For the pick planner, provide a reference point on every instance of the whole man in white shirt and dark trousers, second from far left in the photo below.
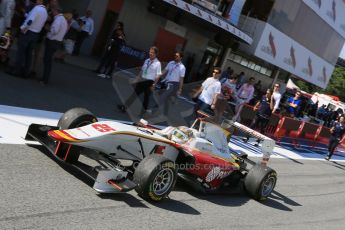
(55, 36)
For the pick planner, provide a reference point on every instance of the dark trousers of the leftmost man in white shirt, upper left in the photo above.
(26, 44)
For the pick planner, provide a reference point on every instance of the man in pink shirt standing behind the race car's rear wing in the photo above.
(244, 95)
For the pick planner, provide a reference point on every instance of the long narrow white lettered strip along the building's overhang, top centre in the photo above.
(211, 18)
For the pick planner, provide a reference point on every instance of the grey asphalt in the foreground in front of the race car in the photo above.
(38, 193)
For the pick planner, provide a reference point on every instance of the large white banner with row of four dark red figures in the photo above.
(284, 52)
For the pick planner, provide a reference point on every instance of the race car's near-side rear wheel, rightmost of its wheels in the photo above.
(260, 182)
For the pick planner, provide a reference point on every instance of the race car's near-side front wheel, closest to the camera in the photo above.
(155, 177)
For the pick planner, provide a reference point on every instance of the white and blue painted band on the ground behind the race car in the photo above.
(14, 122)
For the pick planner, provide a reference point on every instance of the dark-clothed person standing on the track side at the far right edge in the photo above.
(337, 136)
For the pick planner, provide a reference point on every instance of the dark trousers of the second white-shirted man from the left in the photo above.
(51, 47)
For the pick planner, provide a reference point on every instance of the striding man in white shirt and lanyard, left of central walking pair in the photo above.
(148, 76)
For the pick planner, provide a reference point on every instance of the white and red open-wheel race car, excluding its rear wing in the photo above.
(148, 159)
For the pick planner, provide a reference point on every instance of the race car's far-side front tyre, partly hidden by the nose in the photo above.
(74, 118)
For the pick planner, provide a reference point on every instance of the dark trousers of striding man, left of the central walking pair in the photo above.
(141, 87)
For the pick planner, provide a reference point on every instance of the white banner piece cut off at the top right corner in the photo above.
(331, 11)
